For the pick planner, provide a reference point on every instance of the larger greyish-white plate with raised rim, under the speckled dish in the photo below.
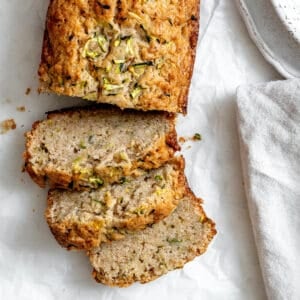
(271, 36)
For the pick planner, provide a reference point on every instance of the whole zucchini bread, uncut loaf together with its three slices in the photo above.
(117, 185)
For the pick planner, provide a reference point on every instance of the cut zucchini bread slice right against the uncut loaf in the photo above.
(86, 147)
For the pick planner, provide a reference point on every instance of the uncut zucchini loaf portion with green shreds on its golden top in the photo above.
(134, 54)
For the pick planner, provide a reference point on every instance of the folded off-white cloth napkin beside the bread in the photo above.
(268, 117)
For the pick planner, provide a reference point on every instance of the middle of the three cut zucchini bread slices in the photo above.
(84, 219)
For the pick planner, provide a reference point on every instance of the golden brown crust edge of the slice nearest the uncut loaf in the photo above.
(161, 152)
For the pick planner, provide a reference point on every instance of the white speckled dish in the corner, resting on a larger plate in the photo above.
(289, 13)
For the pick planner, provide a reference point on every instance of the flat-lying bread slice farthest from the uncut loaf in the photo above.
(145, 255)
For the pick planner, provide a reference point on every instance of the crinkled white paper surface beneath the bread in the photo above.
(33, 266)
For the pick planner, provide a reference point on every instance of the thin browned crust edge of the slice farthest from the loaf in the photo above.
(128, 280)
